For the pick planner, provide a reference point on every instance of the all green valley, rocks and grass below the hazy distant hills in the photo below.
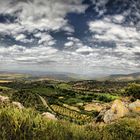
(82, 110)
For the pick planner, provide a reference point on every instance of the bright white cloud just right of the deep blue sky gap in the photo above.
(109, 31)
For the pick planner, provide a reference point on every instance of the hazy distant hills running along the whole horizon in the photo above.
(66, 76)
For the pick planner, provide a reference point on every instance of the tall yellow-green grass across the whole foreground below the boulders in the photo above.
(27, 124)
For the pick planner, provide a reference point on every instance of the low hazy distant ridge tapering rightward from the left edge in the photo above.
(37, 75)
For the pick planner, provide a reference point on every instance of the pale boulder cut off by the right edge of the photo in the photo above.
(135, 106)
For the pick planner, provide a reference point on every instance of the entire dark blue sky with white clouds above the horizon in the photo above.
(92, 37)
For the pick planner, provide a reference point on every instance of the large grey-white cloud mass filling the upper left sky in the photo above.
(38, 15)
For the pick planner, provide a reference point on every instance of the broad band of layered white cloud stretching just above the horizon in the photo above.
(80, 60)
